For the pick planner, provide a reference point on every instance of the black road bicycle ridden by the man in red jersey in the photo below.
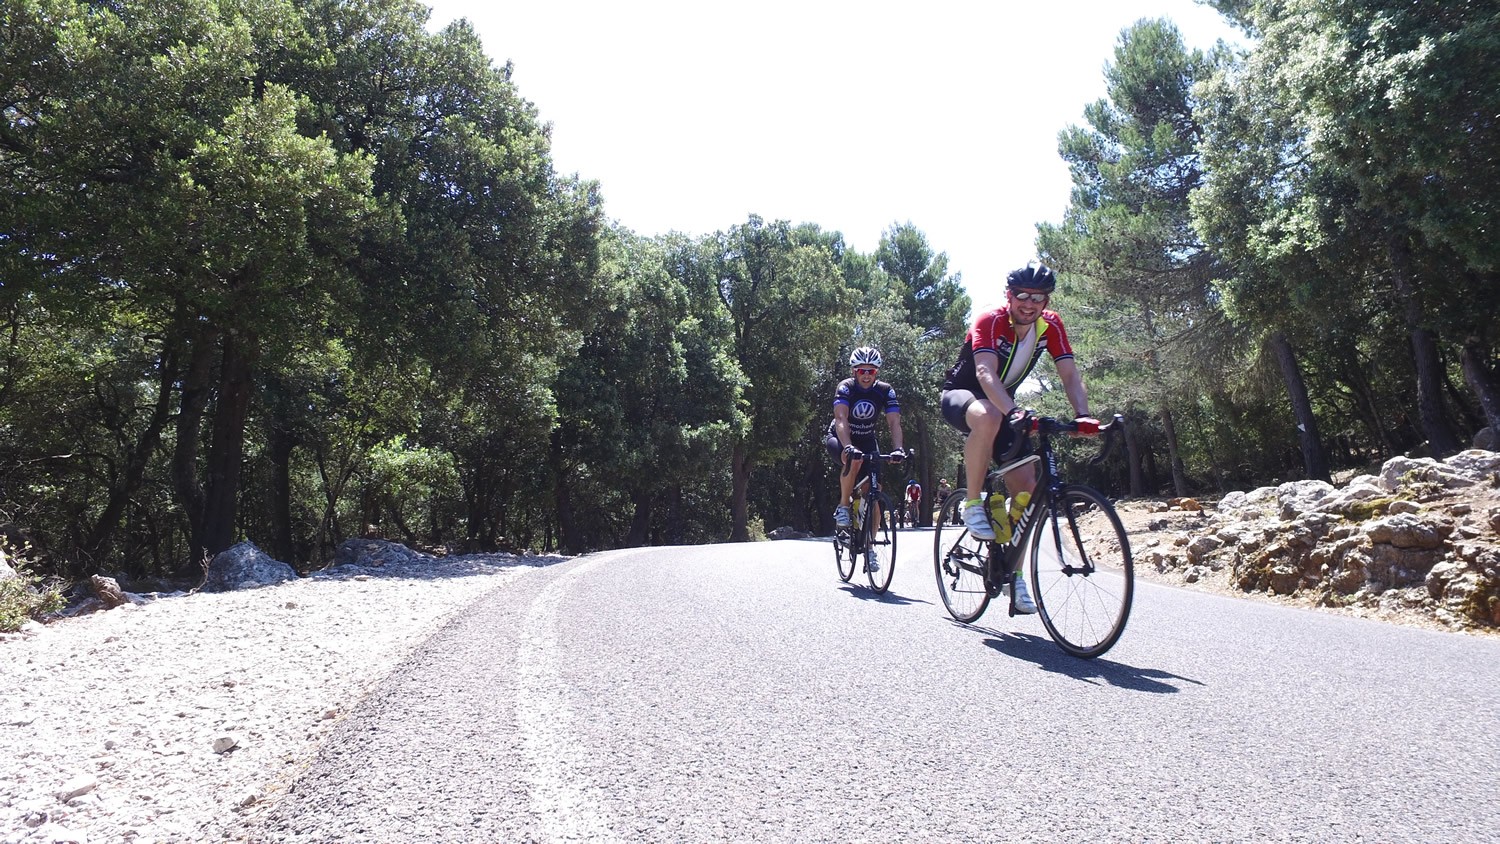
(1082, 572)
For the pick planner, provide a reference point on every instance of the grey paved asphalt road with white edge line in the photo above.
(742, 693)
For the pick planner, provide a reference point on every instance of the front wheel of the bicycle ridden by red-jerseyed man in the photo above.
(1082, 572)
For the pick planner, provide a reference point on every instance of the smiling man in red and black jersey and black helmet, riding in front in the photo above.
(1000, 352)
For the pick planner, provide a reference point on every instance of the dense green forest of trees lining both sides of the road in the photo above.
(289, 271)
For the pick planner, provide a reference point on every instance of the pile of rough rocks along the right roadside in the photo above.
(1420, 543)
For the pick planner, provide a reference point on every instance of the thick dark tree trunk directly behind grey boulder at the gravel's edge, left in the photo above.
(227, 452)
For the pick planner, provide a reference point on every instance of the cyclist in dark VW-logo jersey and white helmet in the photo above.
(857, 404)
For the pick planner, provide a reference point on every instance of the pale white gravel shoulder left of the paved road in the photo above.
(158, 723)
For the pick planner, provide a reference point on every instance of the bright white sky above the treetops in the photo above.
(856, 116)
